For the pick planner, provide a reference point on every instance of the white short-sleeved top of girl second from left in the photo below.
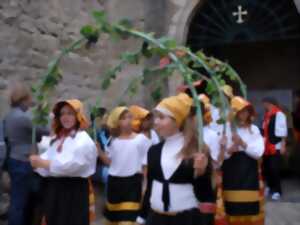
(127, 155)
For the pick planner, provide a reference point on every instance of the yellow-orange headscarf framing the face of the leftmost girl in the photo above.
(77, 106)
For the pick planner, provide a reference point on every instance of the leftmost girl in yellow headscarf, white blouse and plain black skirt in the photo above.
(66, 165)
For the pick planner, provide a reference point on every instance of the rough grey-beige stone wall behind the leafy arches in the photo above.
(32, 32)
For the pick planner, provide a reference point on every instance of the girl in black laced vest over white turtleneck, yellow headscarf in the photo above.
(172, 191)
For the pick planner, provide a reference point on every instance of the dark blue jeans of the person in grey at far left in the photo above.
(22, 185)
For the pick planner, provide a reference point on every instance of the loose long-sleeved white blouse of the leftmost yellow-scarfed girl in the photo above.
(77, 159)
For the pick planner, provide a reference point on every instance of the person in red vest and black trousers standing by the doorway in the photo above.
(275, 133)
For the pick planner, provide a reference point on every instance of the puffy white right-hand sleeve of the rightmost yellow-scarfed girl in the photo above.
(255, 145)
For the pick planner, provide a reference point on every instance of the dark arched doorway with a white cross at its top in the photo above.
(259, 38)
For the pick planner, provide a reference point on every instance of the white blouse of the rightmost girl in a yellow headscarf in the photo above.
(252, 137)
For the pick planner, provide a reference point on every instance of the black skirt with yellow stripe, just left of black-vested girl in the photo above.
(124, 196)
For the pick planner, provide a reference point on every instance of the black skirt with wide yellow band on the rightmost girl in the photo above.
(241, 185)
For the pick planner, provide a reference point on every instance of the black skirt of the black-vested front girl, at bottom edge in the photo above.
(189, 217)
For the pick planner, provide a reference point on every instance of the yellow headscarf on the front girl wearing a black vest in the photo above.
(177, 107)
